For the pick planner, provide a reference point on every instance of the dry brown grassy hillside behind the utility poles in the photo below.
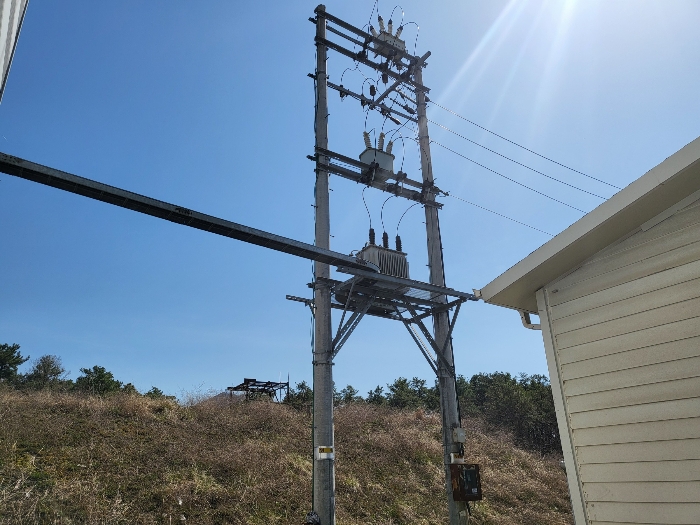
(71, 458)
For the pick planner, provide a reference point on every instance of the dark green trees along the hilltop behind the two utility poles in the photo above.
(520, 405)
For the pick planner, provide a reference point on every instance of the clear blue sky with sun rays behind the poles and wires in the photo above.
(207, 105)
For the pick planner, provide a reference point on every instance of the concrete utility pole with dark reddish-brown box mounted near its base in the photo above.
(441, 321)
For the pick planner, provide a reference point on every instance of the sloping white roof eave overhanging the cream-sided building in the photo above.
(663, 186)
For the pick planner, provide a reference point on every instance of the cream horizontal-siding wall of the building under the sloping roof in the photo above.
(622, 334)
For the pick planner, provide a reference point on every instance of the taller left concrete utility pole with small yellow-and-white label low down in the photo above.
(324, 462)
